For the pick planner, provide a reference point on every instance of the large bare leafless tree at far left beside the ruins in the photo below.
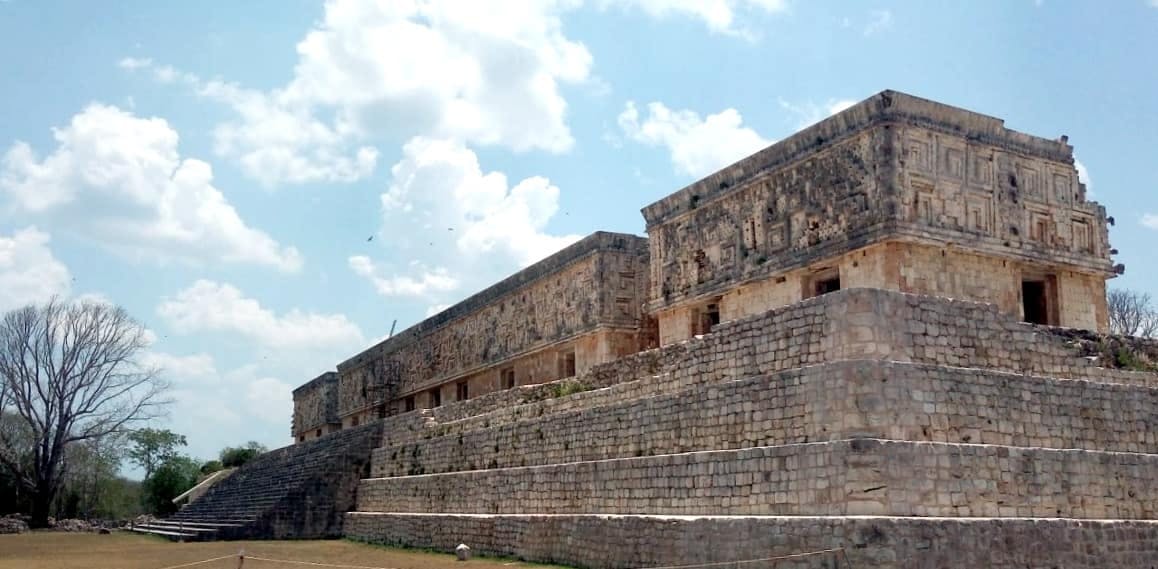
(69, 373)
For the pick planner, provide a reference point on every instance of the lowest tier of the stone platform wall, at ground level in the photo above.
(628, 542)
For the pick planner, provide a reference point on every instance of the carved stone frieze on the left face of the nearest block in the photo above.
(815, 209)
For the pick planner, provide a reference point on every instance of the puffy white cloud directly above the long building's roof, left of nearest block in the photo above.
(467, 227)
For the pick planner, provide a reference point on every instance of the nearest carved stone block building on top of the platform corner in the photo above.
(896, 193)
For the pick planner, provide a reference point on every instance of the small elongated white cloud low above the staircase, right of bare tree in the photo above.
(210, 307)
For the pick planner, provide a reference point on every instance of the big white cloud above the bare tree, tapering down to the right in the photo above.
(120, 180)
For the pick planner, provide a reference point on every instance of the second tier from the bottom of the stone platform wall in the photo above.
(842, 478)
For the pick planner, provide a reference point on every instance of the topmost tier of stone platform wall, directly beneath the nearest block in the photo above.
(856, 324)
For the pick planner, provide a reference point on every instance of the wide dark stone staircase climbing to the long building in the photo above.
(297, 492)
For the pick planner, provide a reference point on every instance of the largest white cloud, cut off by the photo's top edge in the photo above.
(485, 74)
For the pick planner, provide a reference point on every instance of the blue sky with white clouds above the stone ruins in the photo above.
(269, 185)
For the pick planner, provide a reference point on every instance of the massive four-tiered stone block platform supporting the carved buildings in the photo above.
(905, 432)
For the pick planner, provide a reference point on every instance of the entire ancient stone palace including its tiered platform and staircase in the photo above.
(876, 344)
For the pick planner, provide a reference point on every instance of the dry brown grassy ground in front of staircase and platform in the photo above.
(127, 551)
